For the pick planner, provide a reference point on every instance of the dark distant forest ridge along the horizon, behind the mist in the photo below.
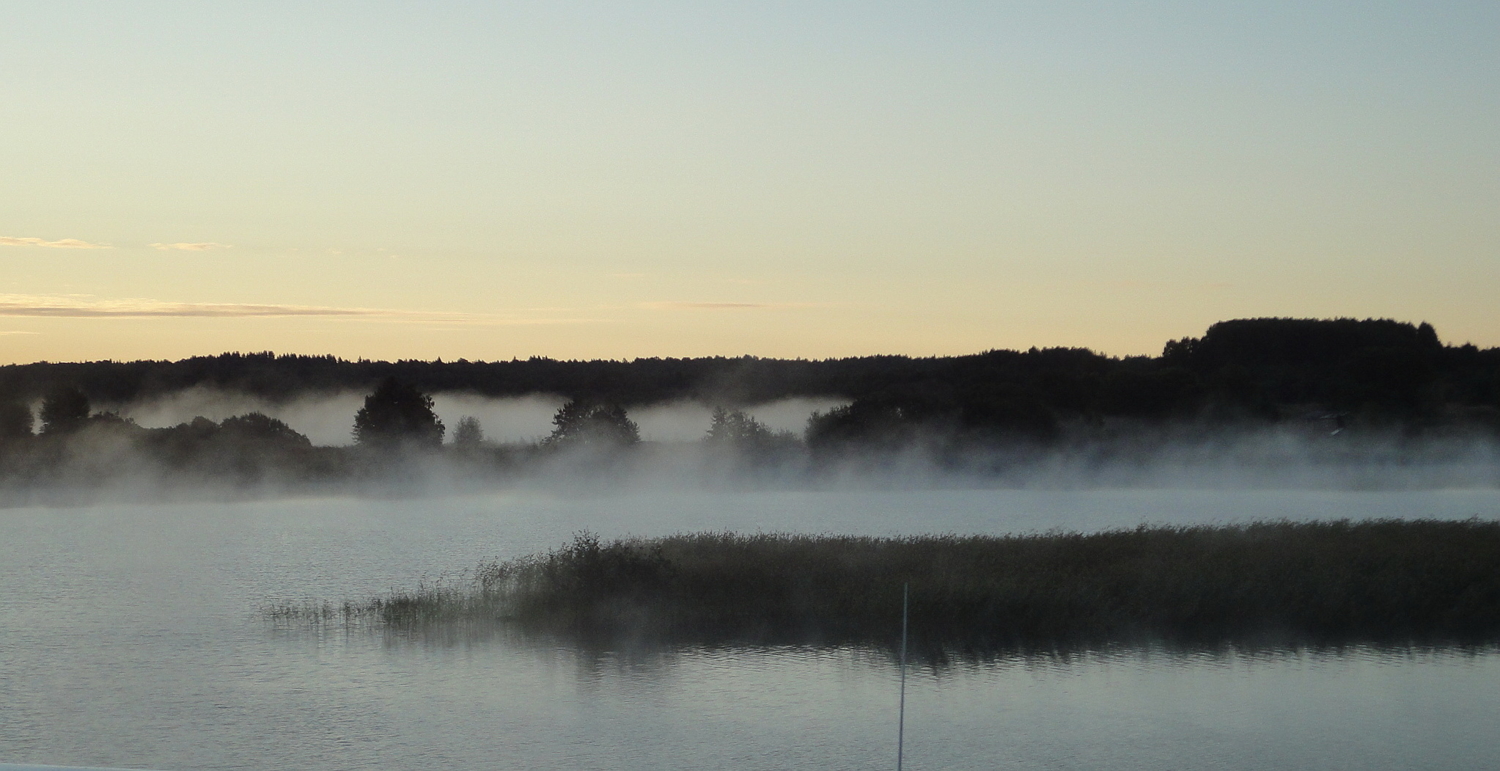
(1346, 373)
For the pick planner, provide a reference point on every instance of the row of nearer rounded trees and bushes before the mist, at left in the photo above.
(76, 446)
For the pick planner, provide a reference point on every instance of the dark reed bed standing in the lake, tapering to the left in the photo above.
(1270, 583)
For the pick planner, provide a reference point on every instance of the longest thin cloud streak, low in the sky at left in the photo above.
(88, 307)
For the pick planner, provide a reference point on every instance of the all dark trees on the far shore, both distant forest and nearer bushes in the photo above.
(1325, 377)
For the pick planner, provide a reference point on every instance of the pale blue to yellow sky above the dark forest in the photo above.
(814, 179)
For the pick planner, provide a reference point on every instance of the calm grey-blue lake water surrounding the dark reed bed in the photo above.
(130, 638)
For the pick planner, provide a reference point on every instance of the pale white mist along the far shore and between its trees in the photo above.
(101, 467)
